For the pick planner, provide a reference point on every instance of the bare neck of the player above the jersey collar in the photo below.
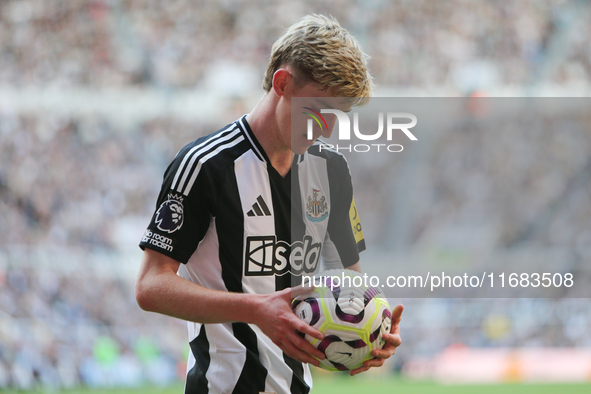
(262, 121)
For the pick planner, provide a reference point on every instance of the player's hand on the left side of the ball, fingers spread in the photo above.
(277, 320)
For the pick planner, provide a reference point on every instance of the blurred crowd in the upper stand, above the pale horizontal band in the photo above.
(460, 45)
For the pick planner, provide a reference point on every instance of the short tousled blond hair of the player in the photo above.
(322, 51)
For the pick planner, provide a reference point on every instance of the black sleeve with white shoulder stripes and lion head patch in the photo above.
(183, 210)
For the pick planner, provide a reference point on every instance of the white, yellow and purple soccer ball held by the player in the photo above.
(352, 317)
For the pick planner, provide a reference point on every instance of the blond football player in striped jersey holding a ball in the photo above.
(223, 249)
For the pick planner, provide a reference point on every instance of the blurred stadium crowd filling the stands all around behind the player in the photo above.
(74, 183)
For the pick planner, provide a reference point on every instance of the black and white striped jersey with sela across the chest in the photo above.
(237, 225)
